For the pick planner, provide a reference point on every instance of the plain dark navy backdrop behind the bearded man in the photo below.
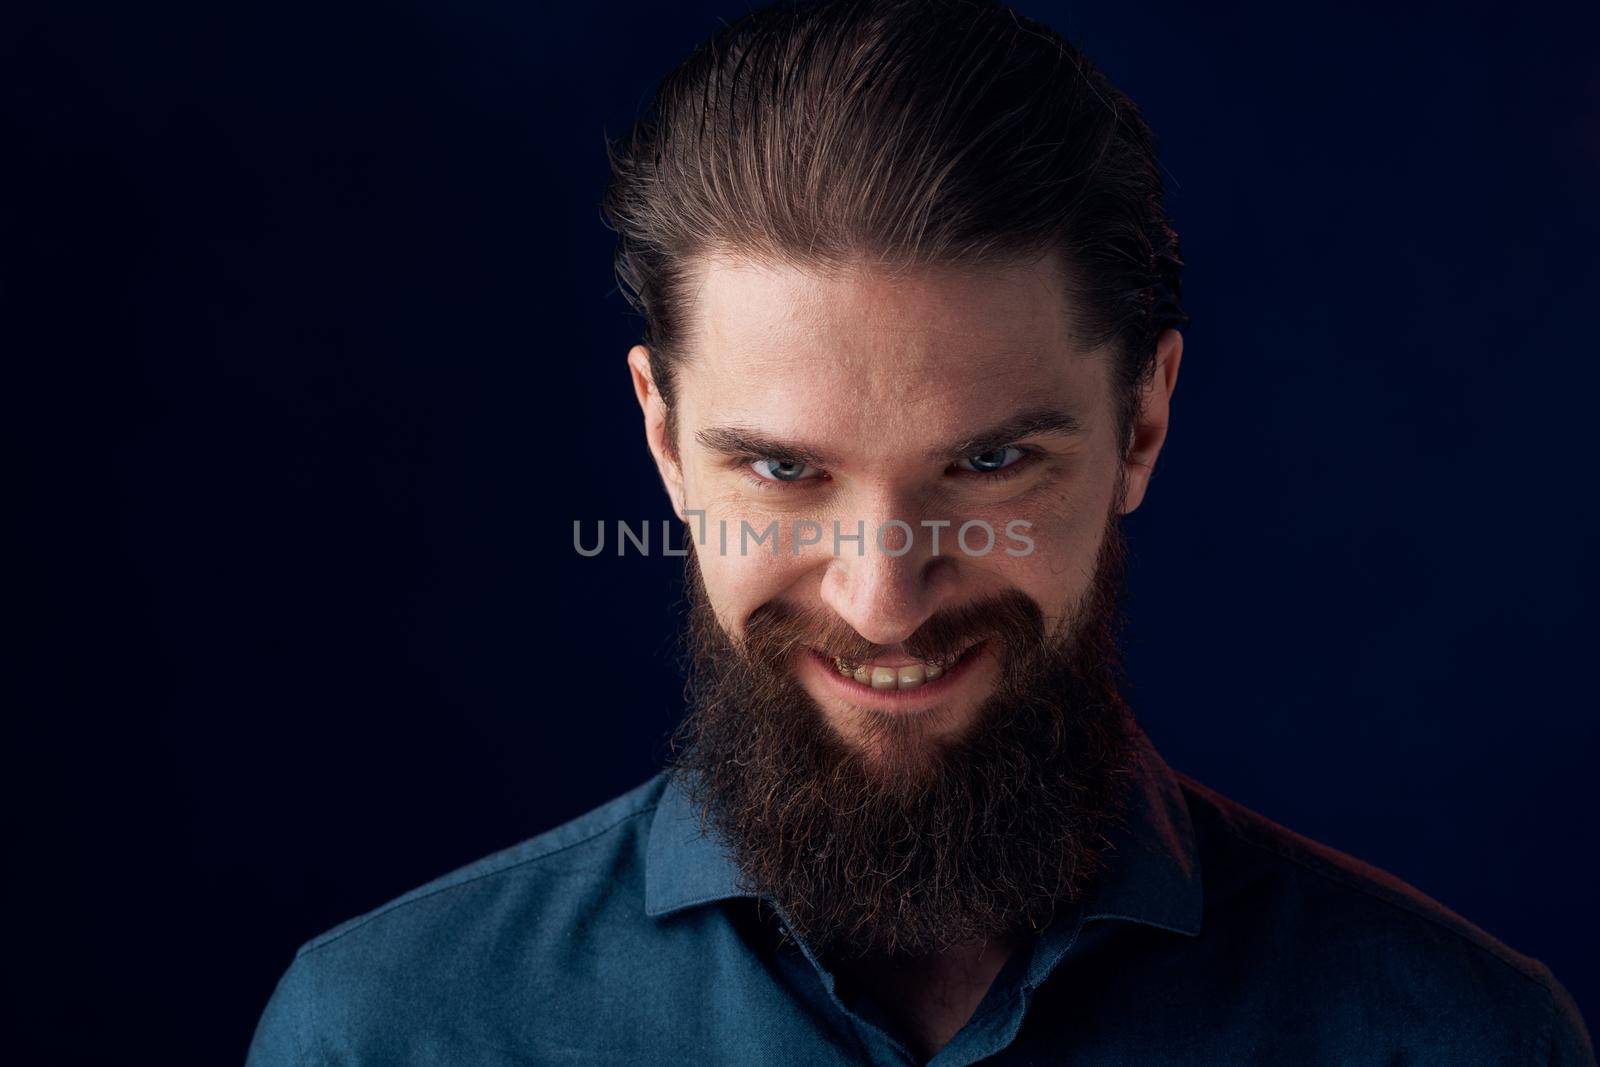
(314, 358)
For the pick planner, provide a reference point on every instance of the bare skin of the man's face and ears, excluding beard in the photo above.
(865, 396)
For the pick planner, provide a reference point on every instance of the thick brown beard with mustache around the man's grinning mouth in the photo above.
(905, 847)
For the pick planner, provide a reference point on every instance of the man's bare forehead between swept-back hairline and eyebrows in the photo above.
(871, 359)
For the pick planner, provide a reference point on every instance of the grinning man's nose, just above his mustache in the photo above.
(882, 596)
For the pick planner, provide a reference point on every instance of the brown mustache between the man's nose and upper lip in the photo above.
(778, 631)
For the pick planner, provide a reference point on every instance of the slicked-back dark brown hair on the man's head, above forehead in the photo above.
(902, 132)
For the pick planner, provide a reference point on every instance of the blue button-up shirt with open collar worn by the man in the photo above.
(623, 938)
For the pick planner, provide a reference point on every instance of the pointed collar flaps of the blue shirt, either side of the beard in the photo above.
(1153, 869)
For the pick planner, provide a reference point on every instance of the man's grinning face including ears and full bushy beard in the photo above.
(988, 692)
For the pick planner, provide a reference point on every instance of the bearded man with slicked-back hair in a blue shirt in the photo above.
(913, 314)
